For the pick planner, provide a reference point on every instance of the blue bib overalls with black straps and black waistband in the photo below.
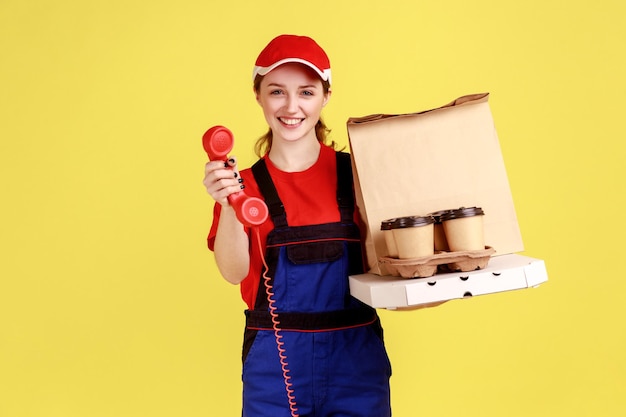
(333, 343)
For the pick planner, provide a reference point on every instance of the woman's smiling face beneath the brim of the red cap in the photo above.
(292, 97)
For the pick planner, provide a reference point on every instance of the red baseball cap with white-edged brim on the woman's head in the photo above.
(292, 48)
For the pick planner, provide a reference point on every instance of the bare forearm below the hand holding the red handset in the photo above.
(231, 247)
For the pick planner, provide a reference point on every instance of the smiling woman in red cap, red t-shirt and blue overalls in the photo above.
(323, 354)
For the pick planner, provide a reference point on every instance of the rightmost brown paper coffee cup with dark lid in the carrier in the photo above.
(464, 229)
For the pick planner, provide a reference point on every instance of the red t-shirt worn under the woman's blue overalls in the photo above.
(309, 197)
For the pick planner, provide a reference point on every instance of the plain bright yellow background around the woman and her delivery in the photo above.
(110, 304)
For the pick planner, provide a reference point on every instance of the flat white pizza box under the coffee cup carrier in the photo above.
(504, 273)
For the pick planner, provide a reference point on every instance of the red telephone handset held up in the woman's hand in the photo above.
(218, 141)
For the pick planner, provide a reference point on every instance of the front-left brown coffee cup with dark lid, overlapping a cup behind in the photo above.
(414, 236)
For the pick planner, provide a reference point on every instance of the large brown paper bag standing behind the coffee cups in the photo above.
(419, 163)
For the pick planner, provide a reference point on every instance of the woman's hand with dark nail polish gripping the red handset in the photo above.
(222, 179)
